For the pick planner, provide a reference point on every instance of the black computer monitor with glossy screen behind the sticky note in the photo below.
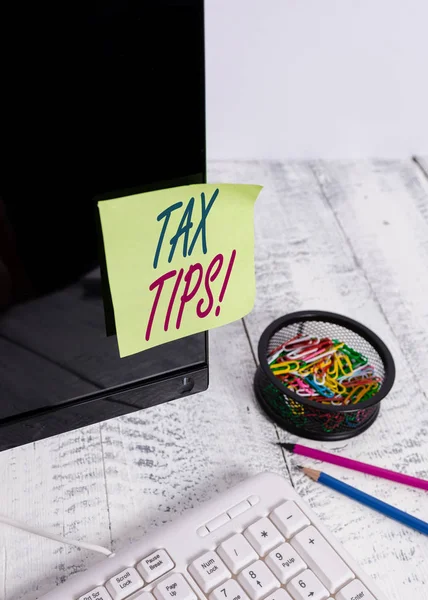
(99, 99)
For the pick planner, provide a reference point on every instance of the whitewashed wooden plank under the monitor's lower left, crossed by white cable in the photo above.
(57, 484)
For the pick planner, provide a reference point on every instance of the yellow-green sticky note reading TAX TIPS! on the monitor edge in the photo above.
(179, 261)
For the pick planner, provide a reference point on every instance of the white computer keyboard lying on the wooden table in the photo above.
(257, 541)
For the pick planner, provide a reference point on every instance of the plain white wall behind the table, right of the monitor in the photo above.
(316, 78)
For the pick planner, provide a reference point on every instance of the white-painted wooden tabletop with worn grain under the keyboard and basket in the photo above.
(347, 237)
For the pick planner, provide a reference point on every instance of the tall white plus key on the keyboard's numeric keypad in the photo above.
(327, 565)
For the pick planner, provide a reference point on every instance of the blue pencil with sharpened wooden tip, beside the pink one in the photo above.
(370, 501)
